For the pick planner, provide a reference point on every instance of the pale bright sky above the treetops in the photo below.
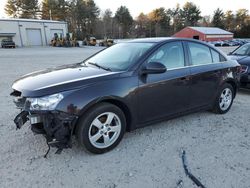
(135, 7)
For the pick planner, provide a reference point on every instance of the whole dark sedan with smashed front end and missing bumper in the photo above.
(124, 87)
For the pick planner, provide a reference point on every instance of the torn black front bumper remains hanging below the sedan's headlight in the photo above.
(57, 127)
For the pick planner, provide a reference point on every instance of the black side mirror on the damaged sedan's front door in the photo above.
(153, 68)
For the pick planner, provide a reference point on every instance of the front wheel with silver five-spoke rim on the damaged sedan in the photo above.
(101, 128)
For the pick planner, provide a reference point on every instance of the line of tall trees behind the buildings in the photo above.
(85, 18)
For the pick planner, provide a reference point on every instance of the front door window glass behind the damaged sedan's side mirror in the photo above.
(171, 55)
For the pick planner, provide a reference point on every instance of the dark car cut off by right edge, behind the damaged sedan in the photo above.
(242, 55)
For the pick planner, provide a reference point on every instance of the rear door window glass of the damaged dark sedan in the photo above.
(200, 54)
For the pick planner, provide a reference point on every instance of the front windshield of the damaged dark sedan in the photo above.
(119, 57)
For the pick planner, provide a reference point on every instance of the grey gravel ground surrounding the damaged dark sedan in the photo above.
(217, 146)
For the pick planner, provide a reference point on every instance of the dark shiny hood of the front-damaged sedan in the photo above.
(60, 79)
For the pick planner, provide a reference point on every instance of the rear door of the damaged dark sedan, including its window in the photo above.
(206, 71)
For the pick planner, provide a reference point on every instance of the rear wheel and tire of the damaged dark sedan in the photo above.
(224, 99)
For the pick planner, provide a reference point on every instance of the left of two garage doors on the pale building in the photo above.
(34, 37)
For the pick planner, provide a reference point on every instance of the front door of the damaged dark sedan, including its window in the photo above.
(165, 94)
